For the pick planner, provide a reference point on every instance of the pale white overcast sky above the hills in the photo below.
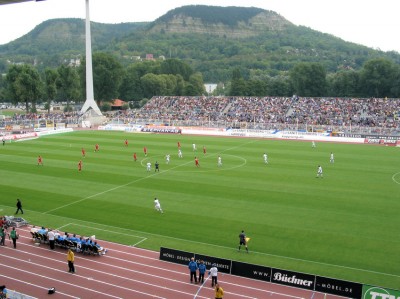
(371, 23)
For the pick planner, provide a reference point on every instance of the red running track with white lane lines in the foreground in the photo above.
(124, 272)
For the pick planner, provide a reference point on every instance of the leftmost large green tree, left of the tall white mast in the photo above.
(24, 85)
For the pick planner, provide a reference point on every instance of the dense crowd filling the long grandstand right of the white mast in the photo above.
(274, 111)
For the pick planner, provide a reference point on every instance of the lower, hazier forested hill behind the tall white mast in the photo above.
(53, 41)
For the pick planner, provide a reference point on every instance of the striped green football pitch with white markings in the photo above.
(344, 225)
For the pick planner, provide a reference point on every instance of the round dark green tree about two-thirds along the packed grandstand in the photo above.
(309, 79)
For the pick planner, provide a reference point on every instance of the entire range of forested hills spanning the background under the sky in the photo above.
(213, 40)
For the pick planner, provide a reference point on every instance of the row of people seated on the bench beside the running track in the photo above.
(82, 244)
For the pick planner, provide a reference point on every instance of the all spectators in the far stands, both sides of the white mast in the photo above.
(376, 114)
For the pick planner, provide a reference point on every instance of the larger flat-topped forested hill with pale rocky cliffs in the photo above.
(216, 40)
